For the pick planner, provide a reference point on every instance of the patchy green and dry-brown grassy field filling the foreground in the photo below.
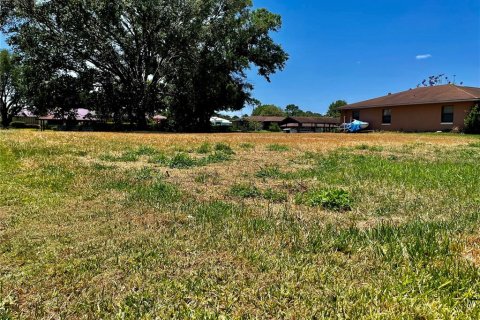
(145, 226)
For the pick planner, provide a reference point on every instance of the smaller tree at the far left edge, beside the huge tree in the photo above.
(10, 87)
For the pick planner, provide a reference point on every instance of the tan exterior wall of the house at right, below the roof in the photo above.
(414, 118)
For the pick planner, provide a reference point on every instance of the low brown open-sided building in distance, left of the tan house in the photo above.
(309, 124)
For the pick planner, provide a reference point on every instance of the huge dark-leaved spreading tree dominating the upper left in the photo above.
(129, 59)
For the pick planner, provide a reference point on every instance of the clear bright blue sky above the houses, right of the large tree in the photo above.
(356, 50)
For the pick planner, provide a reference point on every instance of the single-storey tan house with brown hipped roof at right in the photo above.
(438, 108)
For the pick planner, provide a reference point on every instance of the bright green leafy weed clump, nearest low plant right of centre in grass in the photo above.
(331, 199)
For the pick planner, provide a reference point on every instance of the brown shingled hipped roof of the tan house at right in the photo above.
(423, 95)
